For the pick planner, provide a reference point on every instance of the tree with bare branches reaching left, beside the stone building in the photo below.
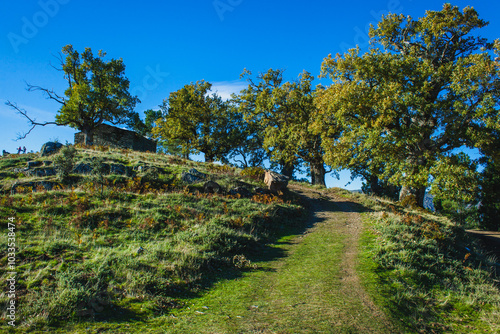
(97, 92)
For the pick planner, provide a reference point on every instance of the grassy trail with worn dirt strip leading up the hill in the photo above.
(312, 288)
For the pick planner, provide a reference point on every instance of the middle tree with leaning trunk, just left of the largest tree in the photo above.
(284, 112)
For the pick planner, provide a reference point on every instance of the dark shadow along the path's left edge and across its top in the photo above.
(279, 231)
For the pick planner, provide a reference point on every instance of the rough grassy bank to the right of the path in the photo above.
(428, 274)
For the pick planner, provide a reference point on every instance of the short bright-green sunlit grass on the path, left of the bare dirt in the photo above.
(290, 286)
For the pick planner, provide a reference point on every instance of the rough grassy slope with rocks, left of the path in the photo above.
(109, 246)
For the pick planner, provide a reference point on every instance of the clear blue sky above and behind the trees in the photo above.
(167, 44)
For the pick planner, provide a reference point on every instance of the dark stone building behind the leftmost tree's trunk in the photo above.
(107, 135)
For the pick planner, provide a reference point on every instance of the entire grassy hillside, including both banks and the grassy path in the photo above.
(131, 247)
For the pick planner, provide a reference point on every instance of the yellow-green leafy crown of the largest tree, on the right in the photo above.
(426, 88)
